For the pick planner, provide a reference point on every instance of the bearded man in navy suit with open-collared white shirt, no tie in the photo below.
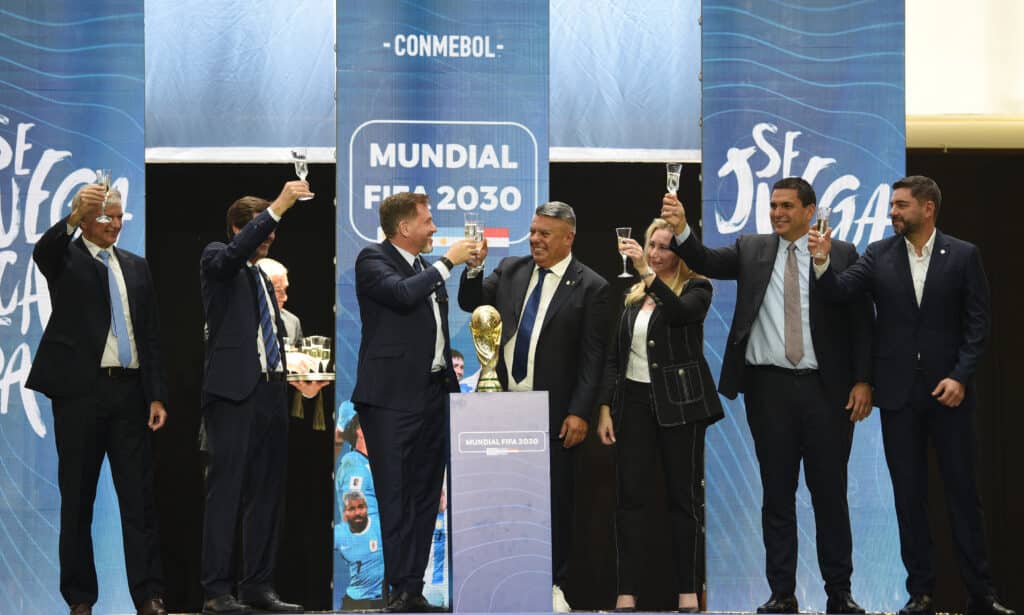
(932, 300)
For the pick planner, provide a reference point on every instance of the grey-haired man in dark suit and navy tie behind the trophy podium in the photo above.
(556, 320)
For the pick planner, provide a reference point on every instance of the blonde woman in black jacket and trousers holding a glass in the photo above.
(658, 399)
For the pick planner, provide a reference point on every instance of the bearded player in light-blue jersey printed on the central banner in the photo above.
(359, 543)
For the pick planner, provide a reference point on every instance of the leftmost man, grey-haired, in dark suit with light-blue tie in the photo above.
(99, 362)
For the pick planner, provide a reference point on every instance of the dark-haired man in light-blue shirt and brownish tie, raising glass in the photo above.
(803, 366)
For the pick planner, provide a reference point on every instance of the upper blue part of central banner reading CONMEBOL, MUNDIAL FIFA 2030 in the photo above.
(450, 101)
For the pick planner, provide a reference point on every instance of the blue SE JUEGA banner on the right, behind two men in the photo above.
(816, 90)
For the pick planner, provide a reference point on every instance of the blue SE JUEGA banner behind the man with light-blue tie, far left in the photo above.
(71, 102)
